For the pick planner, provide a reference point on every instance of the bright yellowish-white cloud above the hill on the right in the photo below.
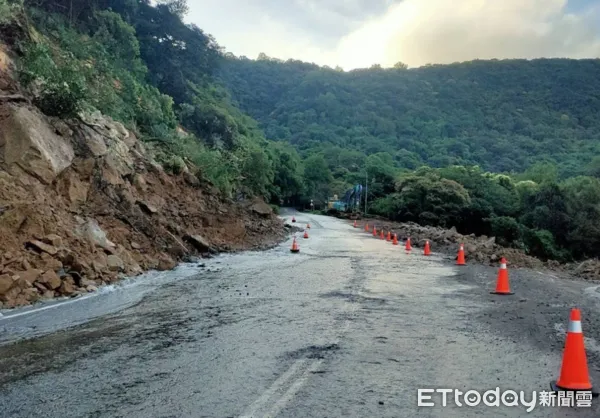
(418, 32)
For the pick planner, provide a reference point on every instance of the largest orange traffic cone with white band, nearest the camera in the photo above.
(574, 373)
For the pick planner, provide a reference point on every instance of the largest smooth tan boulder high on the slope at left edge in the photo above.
(28, 142)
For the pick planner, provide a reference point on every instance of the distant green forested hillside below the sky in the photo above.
(501, 115)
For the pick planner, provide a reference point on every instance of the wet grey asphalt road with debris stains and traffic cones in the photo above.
(349, 327)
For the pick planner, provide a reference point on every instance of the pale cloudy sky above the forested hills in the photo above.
(359, 33)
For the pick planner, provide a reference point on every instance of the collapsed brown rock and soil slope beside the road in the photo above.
(82, 203)
